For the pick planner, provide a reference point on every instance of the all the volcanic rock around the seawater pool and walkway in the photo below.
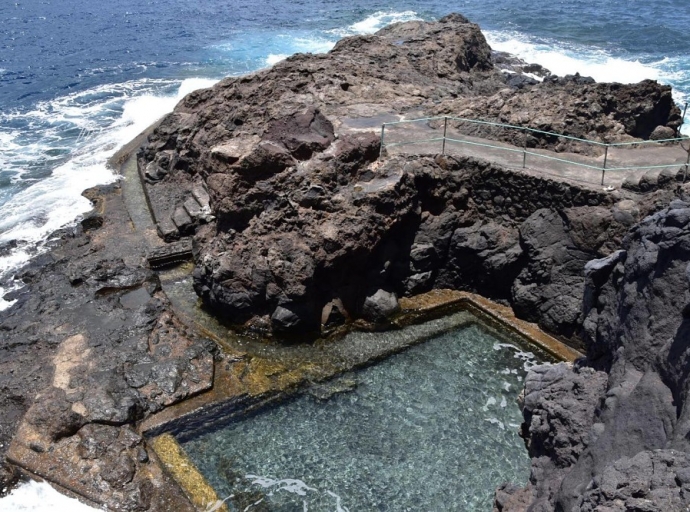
(298, 228)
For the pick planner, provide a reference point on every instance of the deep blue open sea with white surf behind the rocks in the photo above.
(79, 78)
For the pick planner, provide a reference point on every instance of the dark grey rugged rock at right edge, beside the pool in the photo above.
(626, 426)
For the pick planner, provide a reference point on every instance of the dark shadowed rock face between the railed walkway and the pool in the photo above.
(279, 261)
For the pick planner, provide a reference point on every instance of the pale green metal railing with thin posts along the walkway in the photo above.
(525, 151)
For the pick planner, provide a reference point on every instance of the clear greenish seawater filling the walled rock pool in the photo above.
(432, 428)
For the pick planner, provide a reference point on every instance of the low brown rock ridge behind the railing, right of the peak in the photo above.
(573, 106)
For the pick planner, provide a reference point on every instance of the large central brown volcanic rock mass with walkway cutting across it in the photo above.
(298, 213)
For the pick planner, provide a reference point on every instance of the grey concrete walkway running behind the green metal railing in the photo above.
(541, 162)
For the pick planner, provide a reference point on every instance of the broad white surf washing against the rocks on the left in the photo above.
(107, 117)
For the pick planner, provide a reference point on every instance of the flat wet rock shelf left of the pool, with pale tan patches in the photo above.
(90, 348)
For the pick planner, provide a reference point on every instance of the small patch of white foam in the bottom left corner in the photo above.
(40, 497)
